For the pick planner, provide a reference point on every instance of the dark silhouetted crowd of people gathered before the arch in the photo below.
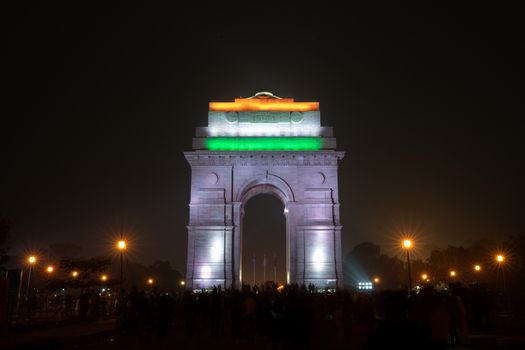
(298, 316)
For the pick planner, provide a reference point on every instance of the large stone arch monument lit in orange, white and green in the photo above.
(264, 144)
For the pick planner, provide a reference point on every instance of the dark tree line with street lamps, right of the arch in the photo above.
(366, 261)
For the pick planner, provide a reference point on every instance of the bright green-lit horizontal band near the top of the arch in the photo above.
(263, 143)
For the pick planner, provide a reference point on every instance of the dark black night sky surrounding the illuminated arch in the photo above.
(102, 101)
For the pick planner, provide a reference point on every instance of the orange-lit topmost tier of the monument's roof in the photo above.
(264, 101)
